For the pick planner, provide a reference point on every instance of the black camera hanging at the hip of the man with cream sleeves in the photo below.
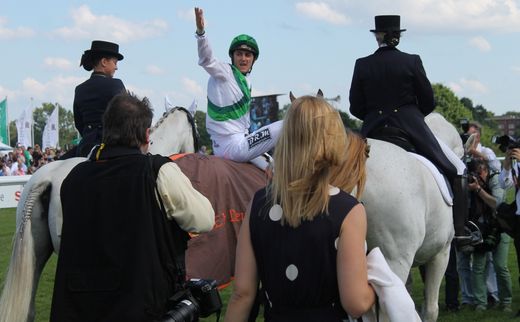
(201, 299)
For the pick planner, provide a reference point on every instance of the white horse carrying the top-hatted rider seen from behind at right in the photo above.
(407, 216)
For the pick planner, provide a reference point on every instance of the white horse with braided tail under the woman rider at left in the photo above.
(39, 215)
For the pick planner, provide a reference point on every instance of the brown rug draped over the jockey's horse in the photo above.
(229, 186)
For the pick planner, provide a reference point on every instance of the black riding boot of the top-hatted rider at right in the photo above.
(466, 232)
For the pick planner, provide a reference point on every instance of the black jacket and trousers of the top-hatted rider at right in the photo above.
(390, 88)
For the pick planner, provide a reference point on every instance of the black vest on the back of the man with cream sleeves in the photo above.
(115, 263)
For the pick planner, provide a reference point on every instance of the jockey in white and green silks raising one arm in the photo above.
(229, 99)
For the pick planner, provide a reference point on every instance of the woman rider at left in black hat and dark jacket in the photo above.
(92, 96)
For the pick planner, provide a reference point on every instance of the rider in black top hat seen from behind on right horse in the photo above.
(390, 89)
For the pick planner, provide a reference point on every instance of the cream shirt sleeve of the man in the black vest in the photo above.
(188, 207)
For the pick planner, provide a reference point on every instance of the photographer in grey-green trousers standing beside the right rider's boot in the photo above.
(486, 194)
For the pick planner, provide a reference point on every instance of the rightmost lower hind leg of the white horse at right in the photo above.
(434, 273)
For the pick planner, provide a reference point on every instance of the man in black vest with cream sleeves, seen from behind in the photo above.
(126, 215)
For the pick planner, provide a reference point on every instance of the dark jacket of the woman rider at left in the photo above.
(90, 102)
